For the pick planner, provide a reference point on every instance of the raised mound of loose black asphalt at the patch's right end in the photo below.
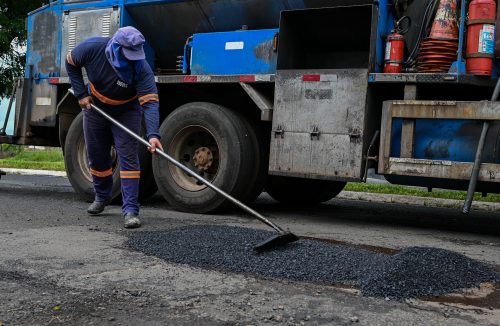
(417, 272)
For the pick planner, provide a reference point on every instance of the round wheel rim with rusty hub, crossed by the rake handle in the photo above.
(196, 148)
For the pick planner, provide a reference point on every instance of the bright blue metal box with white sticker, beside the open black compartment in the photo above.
(234, 53)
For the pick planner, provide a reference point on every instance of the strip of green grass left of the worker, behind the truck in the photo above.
(34, 159)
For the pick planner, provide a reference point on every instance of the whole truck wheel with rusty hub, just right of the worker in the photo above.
(209, 138)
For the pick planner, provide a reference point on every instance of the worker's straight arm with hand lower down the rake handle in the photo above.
(149, 101)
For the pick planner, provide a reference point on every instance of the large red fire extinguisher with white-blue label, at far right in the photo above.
(481, 37)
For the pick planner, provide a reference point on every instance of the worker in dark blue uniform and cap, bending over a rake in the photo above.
(122, 83)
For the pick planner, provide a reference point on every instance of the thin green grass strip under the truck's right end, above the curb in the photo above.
(416, 191)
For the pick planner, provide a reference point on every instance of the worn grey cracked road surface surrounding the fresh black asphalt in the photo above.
(60, 266)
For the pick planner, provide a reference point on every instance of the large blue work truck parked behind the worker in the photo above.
(289, 96)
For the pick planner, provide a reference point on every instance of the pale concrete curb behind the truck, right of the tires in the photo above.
(417, 201)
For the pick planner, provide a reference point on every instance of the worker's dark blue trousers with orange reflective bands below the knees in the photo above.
(100, 135)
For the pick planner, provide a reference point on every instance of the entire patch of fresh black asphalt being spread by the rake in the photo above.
(413, 272)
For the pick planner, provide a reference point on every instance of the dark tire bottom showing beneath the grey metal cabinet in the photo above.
(302, 191)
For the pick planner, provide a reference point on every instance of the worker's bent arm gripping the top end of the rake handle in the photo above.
(75, 61)
